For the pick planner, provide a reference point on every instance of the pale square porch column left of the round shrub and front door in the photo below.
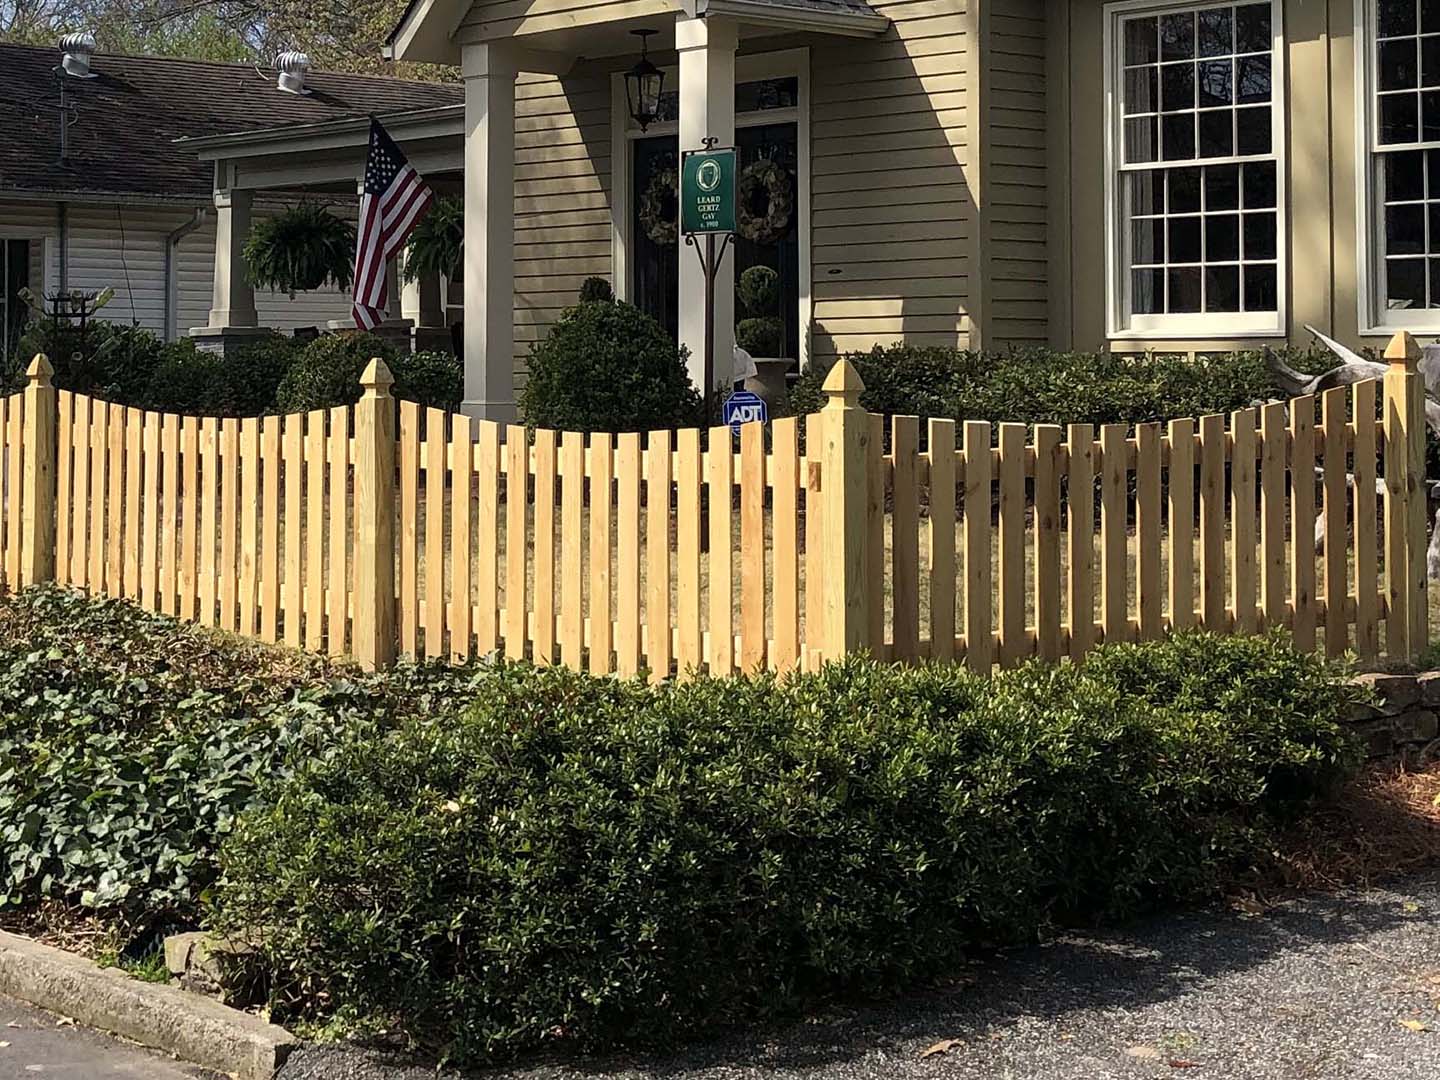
(490, 222)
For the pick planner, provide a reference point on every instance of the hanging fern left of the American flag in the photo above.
(300, 250)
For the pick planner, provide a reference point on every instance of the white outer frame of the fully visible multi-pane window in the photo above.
(1121, 323)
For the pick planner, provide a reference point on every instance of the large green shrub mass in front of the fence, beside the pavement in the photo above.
(591, 860)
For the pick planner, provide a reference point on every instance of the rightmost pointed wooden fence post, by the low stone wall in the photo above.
(1409, 616)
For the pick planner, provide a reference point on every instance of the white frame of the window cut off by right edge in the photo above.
(1370, 210)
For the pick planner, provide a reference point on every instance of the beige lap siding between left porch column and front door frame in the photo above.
(562, 195)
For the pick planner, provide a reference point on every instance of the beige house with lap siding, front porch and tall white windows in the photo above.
(1130, 175)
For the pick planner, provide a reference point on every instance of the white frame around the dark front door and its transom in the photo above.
(750, 68)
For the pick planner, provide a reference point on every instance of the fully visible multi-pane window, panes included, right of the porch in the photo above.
(1194, 171)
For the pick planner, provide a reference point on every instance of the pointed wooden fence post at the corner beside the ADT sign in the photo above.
(845, 477)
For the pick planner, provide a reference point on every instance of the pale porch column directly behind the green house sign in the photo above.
(706, 109)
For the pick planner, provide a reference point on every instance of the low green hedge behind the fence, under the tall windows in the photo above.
(1045, 387)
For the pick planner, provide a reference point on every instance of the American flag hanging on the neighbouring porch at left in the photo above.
(395, 197)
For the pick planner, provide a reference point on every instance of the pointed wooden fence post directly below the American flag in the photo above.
(374, 621)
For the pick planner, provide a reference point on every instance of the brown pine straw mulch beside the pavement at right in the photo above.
(1385, 824)
